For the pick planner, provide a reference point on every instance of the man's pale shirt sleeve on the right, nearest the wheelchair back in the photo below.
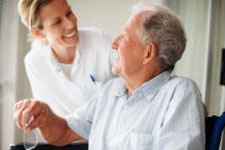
(183, 126)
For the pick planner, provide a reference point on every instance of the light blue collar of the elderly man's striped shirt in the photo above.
(147, 89)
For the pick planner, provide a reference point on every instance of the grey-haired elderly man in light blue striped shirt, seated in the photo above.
(147, 108)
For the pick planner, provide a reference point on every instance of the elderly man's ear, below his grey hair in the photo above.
(150, 53)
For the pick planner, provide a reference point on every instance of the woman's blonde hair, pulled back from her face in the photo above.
(29, 11)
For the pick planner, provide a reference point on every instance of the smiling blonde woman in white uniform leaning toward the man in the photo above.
(64, 64)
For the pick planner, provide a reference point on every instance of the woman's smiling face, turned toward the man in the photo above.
(59, 25)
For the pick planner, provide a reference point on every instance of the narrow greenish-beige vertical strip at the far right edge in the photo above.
(216, 94)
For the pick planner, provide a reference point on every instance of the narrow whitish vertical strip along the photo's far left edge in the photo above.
(9, 33)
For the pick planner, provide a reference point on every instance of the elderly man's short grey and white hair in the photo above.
(165, 30)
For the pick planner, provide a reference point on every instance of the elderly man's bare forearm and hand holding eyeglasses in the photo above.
(31, 114)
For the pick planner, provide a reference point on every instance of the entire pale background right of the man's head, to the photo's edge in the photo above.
(204, 21)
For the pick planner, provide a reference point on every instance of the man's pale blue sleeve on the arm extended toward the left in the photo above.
(81, 120)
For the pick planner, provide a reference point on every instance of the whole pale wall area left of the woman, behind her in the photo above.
(13, 81)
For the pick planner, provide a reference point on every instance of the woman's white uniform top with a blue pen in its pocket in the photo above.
(67, 87)
